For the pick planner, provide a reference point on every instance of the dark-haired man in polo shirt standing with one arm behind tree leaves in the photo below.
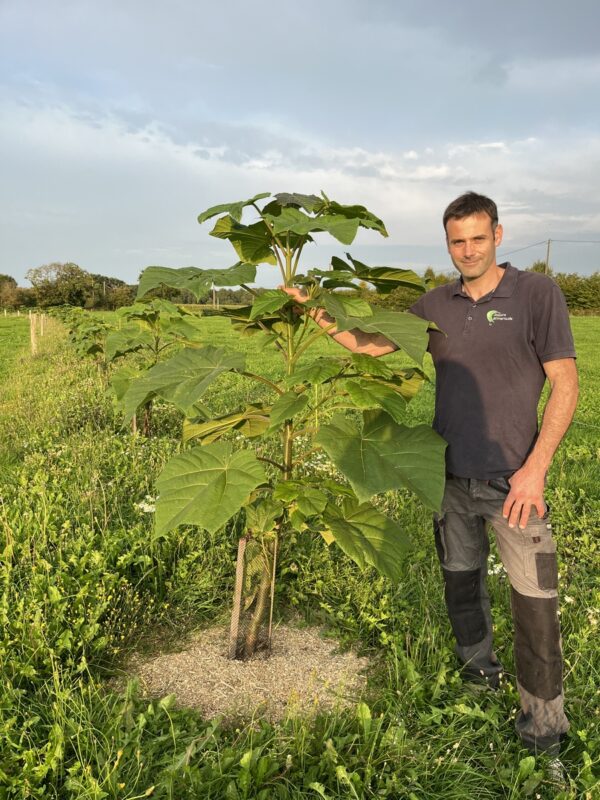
(503, 332)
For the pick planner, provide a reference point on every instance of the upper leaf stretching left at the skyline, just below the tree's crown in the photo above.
(195, 280)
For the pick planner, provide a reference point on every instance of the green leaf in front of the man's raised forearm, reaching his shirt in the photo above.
(405, 330)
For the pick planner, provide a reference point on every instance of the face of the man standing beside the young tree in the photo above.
(472, 244)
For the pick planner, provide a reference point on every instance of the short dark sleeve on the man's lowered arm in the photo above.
(552, 330)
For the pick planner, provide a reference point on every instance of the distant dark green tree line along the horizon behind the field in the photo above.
(68, 284)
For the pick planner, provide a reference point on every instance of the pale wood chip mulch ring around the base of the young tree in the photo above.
(304, 675)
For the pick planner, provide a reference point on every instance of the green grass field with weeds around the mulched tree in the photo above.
(82, 582)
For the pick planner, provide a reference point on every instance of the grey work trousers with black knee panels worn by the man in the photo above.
(529, 557)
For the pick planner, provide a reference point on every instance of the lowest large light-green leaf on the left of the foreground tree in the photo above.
(205, 487)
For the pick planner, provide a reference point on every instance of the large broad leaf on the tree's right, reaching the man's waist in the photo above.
(385, 455)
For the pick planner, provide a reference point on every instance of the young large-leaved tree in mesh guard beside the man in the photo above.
(207, 484)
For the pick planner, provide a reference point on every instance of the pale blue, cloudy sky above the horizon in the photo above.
(121, 121)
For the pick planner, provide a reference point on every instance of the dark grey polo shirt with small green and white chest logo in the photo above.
(488, 363)
